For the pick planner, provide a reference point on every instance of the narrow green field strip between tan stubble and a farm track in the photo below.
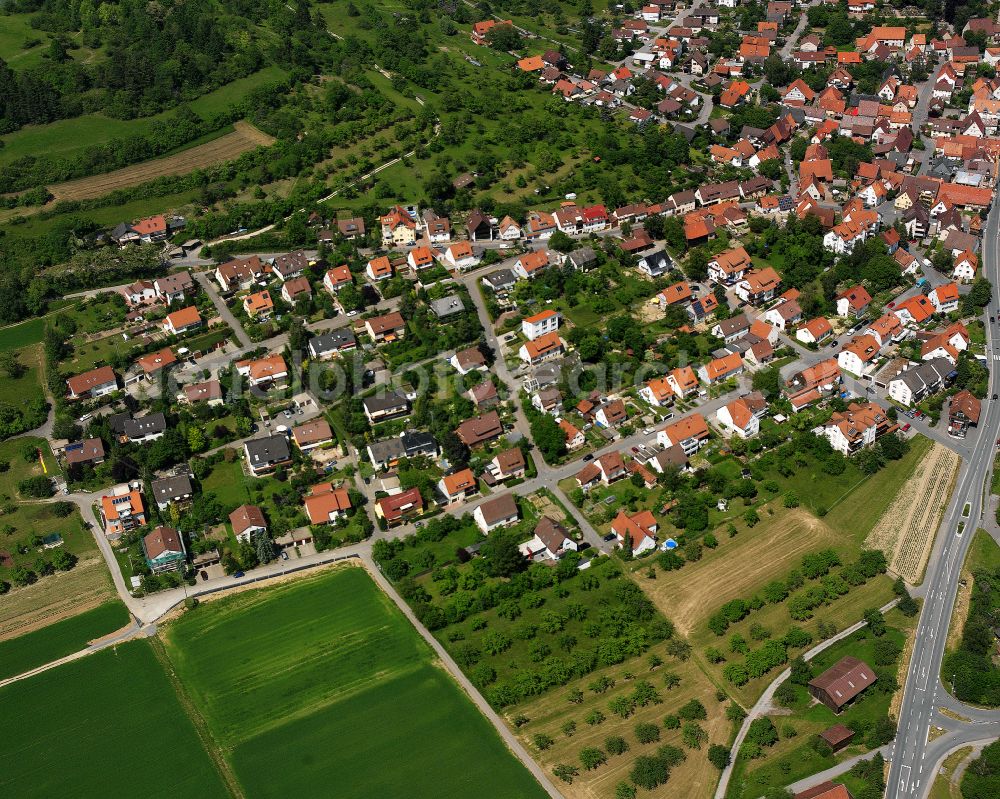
(38, 647)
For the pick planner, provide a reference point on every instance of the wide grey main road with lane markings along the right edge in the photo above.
(911, 772)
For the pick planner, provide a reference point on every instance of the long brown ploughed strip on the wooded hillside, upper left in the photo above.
(245, 137)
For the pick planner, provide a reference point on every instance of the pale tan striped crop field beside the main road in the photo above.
(905, 533)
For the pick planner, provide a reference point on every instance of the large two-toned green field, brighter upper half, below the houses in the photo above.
(323, 682)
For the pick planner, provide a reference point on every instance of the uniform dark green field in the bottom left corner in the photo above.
(107, 725)
